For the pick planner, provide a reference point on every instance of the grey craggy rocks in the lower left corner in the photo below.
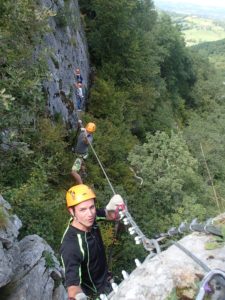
(28, 268)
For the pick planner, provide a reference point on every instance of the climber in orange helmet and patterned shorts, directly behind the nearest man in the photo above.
(84, 139)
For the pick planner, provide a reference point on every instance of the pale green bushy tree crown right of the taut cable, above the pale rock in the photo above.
(172, 186)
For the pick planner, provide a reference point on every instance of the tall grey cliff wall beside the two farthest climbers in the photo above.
(67, 49)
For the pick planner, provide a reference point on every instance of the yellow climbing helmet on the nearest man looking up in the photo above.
(78, 194)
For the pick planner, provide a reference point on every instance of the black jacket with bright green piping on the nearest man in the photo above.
(84, 259)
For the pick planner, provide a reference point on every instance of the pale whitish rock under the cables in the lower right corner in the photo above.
(158, 277)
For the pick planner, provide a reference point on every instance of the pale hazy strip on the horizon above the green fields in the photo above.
(205, 11)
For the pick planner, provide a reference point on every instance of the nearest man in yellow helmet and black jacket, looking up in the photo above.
(82, 249)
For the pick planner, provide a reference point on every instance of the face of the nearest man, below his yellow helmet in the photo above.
(85, 213)
